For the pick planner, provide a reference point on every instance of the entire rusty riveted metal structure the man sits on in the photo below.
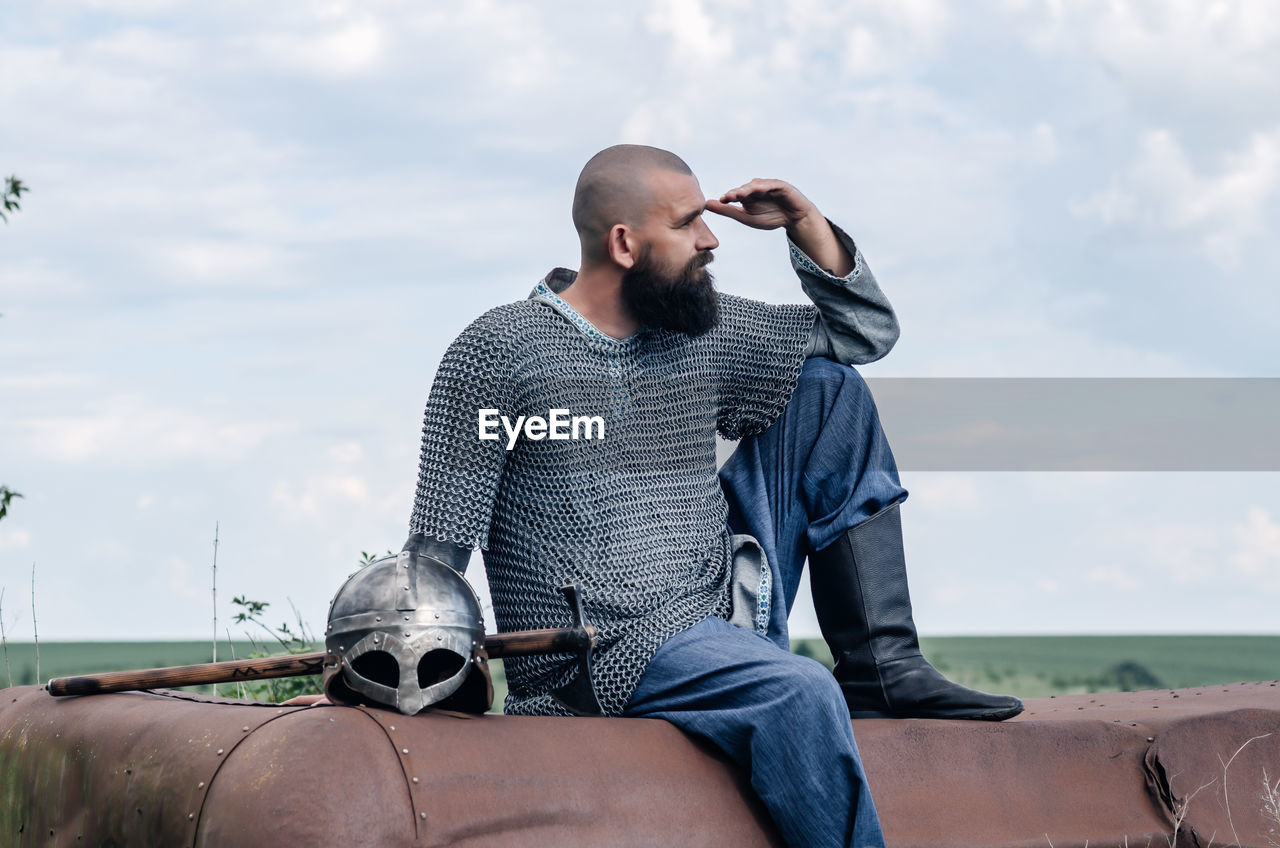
(147, 771)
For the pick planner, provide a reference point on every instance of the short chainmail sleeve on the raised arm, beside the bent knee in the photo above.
(761, 349)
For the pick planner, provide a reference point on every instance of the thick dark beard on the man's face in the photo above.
(682, 303)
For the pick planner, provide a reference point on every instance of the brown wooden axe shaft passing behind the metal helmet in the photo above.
(497, 646)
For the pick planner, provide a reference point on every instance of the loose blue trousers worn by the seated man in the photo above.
(822, 468)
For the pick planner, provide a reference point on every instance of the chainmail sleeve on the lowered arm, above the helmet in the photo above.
(459, 473)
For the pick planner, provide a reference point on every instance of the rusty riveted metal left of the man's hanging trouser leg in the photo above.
(139, 769)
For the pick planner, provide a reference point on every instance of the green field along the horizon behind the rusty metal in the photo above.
(1027, 667)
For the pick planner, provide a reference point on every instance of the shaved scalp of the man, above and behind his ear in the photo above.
(615, 189)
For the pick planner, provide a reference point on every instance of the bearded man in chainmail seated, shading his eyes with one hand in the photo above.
(691, 578)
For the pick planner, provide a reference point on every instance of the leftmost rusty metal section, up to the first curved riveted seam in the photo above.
(129, 771)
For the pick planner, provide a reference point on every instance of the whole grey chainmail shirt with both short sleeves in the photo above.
(637, 518)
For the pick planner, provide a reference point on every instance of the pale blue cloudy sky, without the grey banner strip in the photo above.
(254, 229)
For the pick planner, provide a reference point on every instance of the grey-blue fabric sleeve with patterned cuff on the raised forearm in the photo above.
(856, 321)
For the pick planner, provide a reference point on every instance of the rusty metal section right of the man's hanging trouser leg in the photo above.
(1078, 771)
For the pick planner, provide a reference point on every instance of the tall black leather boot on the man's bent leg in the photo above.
(860, 592)
